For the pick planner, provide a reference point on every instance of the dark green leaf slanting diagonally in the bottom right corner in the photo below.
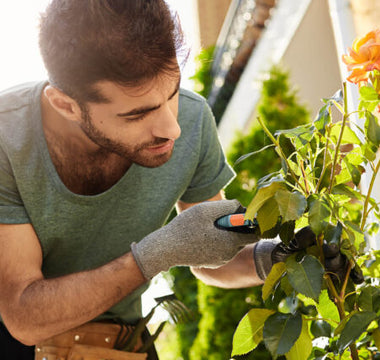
(357, 324)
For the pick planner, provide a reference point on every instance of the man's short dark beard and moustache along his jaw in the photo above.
(134, 154)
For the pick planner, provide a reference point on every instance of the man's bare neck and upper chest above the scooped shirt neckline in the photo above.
(84, 167)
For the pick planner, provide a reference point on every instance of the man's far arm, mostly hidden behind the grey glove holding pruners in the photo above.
(238, 273)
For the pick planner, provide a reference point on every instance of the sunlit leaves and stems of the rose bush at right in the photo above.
(317, 185)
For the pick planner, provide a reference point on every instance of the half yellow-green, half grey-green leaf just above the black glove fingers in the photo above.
(291, 204)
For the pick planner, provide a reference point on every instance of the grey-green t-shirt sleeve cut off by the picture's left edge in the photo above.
(12, 210)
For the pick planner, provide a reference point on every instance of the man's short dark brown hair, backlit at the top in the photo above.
(123, 41)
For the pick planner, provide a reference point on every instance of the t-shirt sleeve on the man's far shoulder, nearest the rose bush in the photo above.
(213, 172)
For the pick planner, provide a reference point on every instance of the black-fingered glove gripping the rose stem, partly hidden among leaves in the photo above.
(269, 252)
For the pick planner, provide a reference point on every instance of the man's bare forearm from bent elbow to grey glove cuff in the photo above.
(47, 307)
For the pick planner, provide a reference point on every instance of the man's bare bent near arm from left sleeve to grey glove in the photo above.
(34, 308)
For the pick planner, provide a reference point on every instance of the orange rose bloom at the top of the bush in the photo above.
(364, 56)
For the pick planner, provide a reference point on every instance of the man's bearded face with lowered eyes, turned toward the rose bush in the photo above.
(138, 123)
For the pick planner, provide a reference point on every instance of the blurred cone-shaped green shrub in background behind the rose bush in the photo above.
(278, 108)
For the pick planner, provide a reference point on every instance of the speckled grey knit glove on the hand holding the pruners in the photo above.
(192, 239)
